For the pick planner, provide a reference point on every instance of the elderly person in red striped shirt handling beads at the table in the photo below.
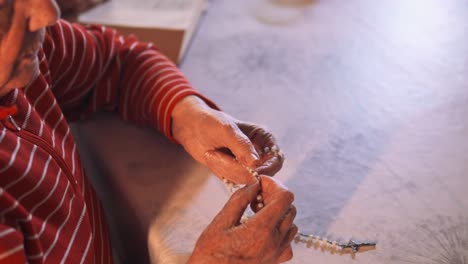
(52, 73)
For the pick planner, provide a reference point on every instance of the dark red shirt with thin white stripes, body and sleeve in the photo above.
(49, 213)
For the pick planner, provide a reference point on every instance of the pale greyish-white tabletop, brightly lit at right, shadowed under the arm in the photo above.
(368, 101)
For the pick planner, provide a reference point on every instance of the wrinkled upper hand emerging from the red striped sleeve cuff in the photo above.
(224, 144)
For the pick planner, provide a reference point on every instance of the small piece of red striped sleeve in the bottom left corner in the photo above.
(11, 246)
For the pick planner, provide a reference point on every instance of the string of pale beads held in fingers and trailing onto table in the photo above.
(309, 240)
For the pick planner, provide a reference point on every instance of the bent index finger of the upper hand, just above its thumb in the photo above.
(241, 146)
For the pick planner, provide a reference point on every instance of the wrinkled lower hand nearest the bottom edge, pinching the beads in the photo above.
(264, 238)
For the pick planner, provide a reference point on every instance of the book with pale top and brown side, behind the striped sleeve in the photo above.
(169, 24)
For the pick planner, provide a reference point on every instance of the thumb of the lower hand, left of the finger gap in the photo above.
(233, 210)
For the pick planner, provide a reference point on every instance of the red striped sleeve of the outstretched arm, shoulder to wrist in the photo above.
(94, 68)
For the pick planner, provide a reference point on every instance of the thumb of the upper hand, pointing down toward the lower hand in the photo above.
(225, 166)
